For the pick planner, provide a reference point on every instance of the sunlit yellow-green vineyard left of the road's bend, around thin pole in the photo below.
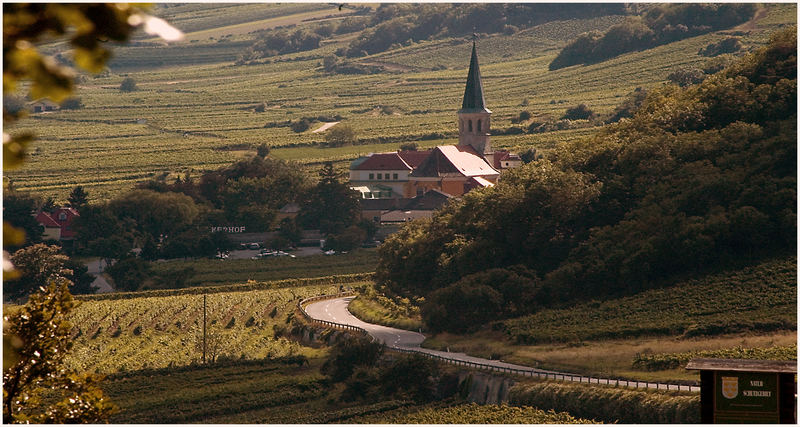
(130, 333)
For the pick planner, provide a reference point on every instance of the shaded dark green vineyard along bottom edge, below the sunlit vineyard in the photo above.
(271, 392)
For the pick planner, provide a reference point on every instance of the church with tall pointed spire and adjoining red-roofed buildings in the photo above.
(450, 169)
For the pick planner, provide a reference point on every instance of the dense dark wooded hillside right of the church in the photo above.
(699, 178)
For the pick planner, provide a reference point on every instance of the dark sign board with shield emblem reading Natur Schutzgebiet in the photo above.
(745, 397)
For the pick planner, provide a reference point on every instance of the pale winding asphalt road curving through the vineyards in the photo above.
(335, 310)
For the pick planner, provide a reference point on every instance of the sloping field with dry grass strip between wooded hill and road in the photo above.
(754, 307)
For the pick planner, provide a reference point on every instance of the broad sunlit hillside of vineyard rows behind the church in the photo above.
(196, 111)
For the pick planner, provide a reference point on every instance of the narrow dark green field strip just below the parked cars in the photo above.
(212, 272)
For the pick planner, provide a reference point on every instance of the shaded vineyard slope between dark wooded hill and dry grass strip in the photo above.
(759, 298)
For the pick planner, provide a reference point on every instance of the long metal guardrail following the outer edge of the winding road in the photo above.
(530, 372)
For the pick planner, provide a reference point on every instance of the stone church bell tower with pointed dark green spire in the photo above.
(473, 117)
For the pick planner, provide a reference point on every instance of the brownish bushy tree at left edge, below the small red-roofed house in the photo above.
(38, 265)
